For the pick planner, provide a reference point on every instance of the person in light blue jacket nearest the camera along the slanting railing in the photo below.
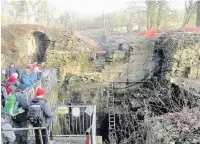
(26, 79)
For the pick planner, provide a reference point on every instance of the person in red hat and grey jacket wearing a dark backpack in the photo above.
(47, 115)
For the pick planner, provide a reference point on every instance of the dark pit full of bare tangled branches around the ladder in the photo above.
(132, 124)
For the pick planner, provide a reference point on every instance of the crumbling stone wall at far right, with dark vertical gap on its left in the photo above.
(178, 55)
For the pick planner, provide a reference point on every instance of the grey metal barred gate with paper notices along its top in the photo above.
(75, 121)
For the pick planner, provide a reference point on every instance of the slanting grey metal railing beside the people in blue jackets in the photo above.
(47, 83)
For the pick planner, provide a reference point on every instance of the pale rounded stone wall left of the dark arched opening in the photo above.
(19, 44)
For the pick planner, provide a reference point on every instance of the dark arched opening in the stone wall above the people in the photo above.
(42, 43)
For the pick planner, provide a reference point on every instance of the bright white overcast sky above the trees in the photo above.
(96, 7)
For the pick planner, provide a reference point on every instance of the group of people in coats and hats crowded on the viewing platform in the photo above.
(14, 104)
